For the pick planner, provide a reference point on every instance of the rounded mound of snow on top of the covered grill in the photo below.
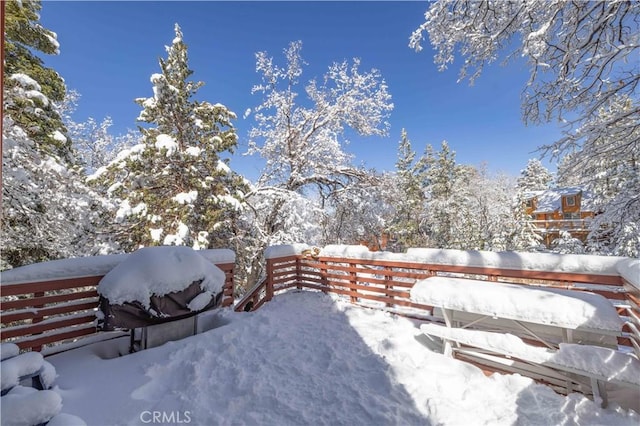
(159, 271)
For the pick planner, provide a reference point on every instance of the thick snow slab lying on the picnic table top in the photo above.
(562, 308)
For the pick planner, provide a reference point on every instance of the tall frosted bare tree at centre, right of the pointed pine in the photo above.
(300, 132)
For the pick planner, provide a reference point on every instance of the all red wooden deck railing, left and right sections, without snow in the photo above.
(45, 312)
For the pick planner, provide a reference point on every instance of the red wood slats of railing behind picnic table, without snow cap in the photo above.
(386, 284)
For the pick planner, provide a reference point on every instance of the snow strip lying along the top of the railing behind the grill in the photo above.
(90, 266)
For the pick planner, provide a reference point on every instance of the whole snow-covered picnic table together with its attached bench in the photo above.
(482, 320)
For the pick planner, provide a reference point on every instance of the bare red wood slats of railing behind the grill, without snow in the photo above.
(44, 312)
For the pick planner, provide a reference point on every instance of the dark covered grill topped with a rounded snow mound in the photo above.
(157, 293)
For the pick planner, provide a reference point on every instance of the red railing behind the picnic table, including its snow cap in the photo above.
(383, 280)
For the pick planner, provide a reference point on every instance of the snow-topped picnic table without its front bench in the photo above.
(549, 316)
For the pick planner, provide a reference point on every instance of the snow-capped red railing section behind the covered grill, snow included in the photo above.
(52, 302)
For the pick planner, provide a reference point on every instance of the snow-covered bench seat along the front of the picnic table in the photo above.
(589, 368)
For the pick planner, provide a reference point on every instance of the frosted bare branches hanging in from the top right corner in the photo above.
(581, 54)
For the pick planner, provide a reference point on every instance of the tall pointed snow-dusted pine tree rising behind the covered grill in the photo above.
(174, 189)
